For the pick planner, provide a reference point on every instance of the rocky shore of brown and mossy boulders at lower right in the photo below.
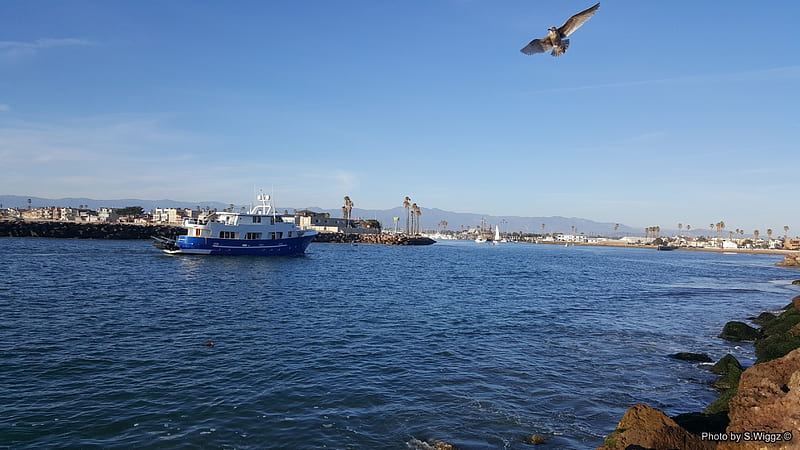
(758, 407)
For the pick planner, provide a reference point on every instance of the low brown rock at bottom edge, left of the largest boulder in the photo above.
(648, 427)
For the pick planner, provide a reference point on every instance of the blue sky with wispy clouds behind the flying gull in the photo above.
(659, 113)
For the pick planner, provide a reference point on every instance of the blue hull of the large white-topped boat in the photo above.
(262, 247)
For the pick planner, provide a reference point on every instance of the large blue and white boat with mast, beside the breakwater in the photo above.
(260, 232)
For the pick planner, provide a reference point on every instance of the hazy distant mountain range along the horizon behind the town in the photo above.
(429, 219)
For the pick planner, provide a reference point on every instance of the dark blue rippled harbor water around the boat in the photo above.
(102, 343)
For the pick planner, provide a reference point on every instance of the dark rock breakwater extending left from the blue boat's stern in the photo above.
(71, 230)
